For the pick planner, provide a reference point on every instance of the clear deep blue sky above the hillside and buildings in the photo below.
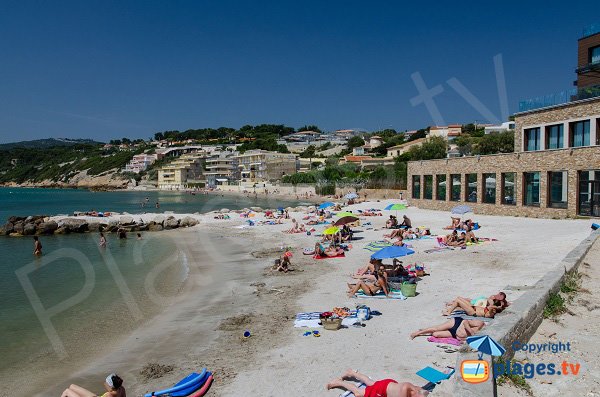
(111, 69)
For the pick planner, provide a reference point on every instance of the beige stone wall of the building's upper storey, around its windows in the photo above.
(557, 114)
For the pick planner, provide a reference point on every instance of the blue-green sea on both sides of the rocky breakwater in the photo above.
(77, 289)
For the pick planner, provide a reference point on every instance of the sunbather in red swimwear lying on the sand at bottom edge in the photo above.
(380, 388)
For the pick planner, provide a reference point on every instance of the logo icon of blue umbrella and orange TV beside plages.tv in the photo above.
(478, 371)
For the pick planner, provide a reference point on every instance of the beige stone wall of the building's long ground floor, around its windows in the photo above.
(570, 160)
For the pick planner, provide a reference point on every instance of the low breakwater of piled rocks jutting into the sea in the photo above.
(43, 225)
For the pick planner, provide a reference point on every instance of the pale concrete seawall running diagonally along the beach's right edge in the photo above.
(521, 319)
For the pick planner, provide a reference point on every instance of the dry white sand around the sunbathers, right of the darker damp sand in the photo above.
(525, 250)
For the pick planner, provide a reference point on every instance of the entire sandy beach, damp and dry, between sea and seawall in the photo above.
(230, 289)
